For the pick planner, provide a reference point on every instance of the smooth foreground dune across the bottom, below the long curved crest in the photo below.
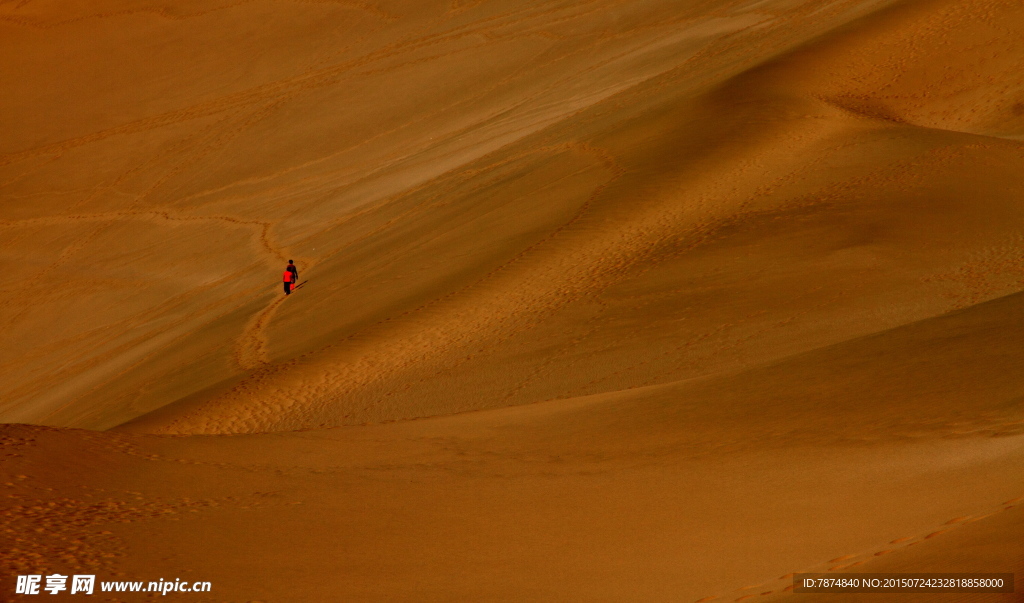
(869, 455)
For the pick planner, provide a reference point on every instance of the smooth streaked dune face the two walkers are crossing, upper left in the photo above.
(161, 161)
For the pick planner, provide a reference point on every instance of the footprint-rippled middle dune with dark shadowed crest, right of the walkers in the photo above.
(831, 192)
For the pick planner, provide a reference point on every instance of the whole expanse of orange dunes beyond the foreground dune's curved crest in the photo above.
(684, 198)
